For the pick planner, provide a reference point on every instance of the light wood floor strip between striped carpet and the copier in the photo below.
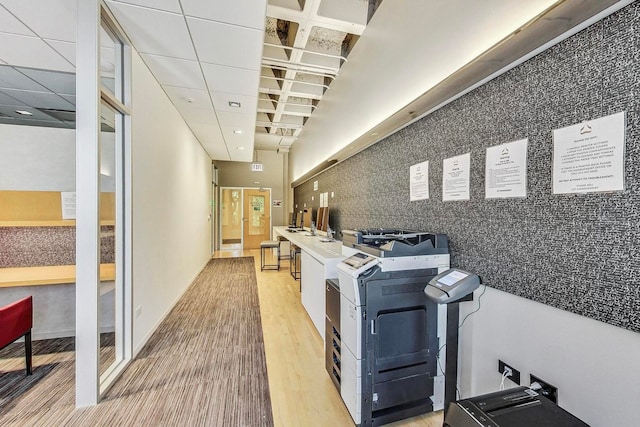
(302, 393)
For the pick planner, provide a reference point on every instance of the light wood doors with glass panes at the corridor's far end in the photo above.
(245, 217)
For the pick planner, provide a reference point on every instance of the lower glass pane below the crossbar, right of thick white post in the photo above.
(109, 233)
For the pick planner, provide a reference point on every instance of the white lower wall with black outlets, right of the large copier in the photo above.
(595, 366)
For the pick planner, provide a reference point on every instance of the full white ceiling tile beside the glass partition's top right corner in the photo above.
(156, 32)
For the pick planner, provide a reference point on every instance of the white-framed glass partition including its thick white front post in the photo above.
(103, 242)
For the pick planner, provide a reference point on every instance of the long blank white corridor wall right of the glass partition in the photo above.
(171, 191)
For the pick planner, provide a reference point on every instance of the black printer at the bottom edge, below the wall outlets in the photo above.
(515, 407)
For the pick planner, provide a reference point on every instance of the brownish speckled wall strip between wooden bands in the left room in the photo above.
(44, 246)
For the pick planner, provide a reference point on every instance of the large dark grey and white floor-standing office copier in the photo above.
(388, 339)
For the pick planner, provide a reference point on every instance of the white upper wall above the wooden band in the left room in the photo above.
(37, 158)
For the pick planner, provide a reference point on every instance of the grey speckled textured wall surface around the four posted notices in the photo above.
(579, 253)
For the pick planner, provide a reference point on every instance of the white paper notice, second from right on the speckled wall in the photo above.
(506, 170)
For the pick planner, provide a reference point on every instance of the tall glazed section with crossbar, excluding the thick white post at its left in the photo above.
(113, 326)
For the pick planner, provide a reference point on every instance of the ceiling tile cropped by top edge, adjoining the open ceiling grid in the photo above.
(246, 13)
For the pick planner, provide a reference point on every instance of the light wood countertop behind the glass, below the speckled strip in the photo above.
(48, 275)
